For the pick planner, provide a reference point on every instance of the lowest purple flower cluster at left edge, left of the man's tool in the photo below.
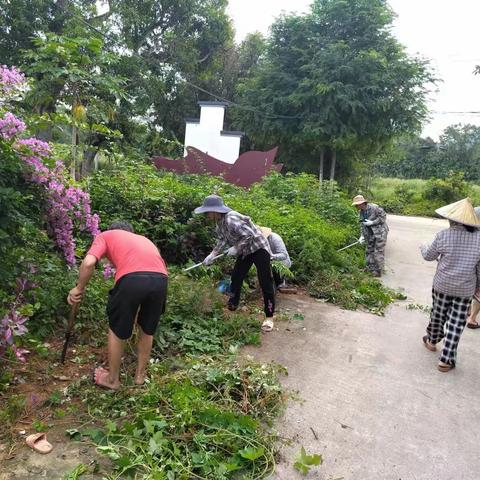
(13, 323)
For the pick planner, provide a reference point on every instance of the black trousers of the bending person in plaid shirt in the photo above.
(261, 259)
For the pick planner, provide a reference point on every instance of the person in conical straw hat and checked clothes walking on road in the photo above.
(457, 279)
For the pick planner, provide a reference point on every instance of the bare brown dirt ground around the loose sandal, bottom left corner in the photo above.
(37, 381)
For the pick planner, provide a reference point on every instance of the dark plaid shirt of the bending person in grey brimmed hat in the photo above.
(237, 230)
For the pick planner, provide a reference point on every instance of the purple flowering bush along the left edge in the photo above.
(36, 196)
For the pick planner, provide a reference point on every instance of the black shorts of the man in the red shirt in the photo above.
(144, 290)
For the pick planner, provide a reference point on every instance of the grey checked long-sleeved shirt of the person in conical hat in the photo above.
(458, 255)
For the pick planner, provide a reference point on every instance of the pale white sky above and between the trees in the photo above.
(447, 32)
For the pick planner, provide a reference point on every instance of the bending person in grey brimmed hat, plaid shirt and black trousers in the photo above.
(249, 246)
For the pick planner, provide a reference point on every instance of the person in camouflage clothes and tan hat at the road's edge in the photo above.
(374, 231)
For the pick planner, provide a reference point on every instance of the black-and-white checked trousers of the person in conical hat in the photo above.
(447, 320)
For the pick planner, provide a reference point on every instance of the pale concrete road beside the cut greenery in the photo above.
(372, 401)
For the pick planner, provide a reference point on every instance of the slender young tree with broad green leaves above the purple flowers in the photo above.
(74, 72)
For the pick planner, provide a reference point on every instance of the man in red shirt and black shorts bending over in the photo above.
(140, 287)
